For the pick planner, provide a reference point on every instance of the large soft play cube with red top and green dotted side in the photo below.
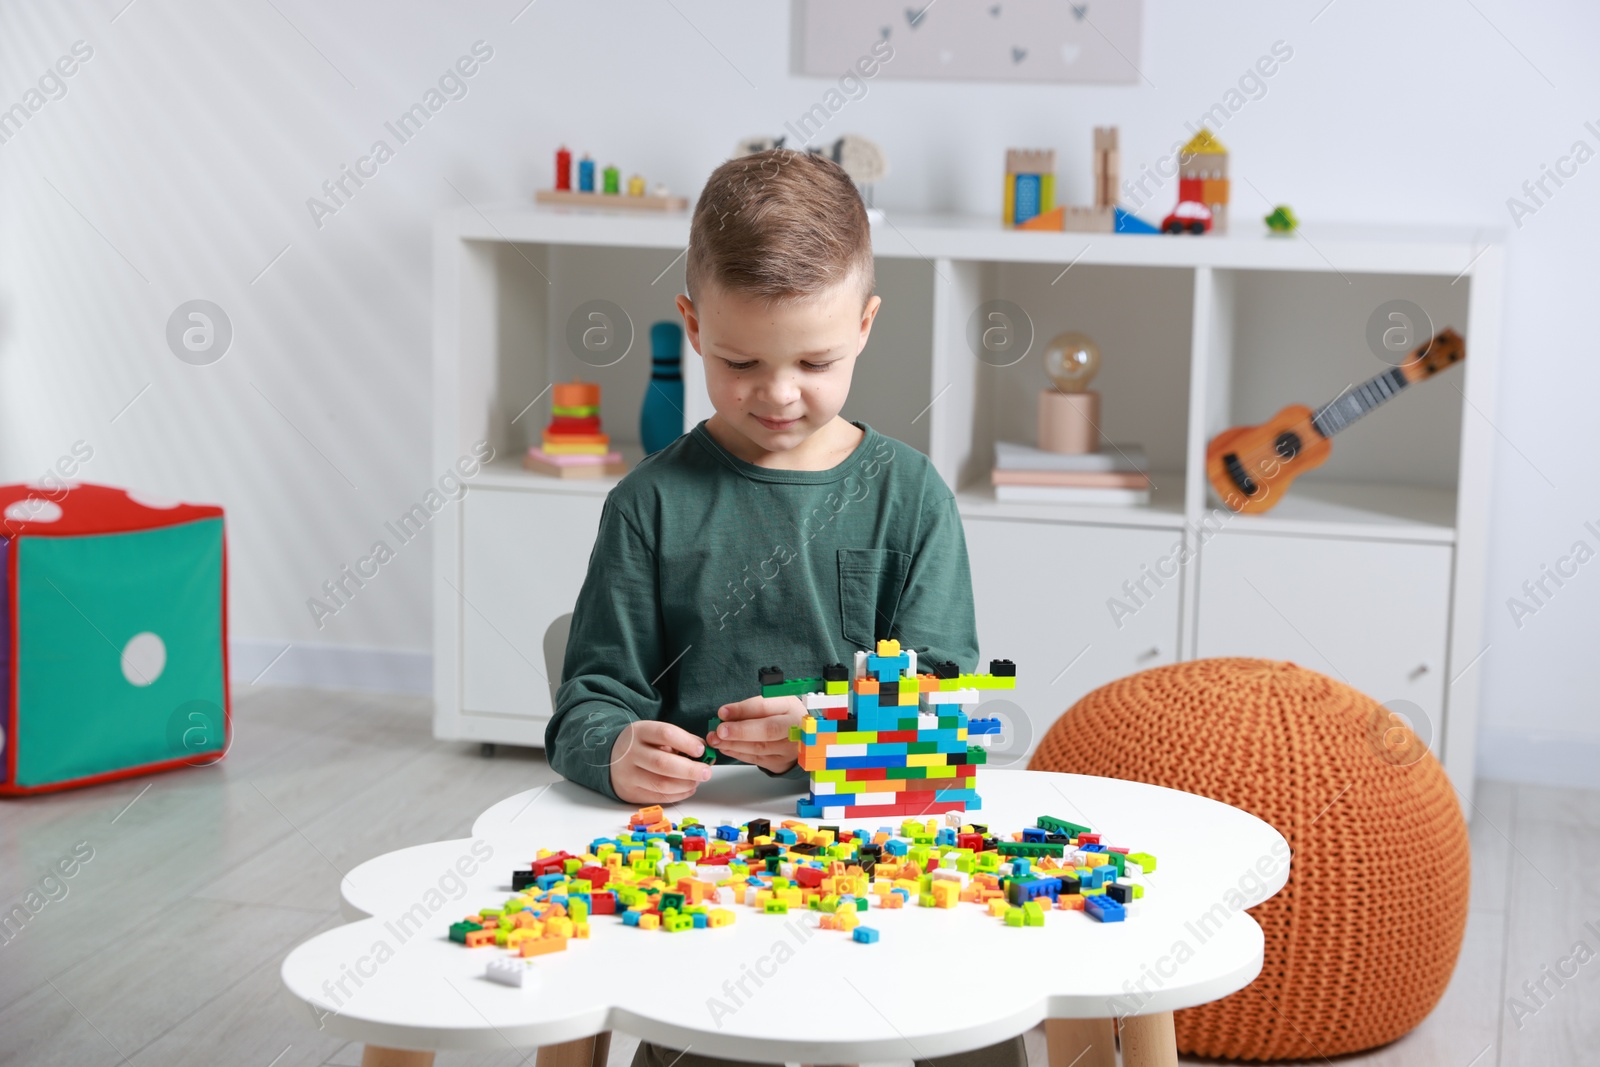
(113, 636)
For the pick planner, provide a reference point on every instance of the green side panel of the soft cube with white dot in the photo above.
(81, 602)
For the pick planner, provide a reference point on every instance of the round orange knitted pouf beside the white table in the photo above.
(1364, 938)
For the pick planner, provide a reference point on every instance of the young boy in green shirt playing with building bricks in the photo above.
(774, 533)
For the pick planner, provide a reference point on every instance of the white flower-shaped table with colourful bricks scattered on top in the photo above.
(774, 988)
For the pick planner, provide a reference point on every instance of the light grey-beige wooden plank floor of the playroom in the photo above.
(166, 948)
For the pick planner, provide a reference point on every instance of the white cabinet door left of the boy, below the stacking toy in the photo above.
(526, 557)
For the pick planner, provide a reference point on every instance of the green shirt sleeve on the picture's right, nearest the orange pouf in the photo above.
(937, 613)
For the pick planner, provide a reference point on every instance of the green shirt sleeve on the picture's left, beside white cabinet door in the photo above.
(614, 652)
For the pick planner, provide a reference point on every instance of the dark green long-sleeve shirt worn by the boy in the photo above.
(708, 569)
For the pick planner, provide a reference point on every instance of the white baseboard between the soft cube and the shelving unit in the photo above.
(329, 666)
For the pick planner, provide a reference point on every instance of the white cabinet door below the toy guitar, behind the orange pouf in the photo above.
(1374, 615)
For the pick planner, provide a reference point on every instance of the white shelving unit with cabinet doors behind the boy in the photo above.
(1370, 570)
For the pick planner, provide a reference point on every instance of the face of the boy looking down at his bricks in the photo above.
(778, 374)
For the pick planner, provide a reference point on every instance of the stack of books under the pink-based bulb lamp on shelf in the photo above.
(1033, 476)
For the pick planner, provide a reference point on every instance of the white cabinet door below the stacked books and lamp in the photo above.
(1042, 594)
